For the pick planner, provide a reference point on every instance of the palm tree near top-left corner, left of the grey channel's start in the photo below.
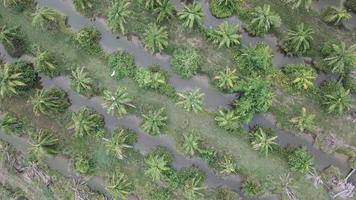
(47, 18)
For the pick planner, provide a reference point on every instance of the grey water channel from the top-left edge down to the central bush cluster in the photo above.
(109, 41)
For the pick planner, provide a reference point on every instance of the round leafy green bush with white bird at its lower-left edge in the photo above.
(122, 64)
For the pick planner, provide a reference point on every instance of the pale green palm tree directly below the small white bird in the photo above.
(118, 102)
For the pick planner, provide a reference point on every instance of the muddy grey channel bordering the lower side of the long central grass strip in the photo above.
(145, 143)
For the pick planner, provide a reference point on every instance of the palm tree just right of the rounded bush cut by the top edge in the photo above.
(262, 19)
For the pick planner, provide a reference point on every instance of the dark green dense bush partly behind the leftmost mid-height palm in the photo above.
(27, 74)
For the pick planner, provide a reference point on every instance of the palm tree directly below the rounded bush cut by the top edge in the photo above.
(225, 35)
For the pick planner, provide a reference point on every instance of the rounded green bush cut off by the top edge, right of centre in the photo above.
(222, 8)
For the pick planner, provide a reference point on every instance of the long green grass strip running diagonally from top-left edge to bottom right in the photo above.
(251, 162)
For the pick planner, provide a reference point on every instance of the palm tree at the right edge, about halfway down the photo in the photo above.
(335, 99)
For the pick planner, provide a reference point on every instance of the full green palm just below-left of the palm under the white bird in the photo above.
(87, 122)
